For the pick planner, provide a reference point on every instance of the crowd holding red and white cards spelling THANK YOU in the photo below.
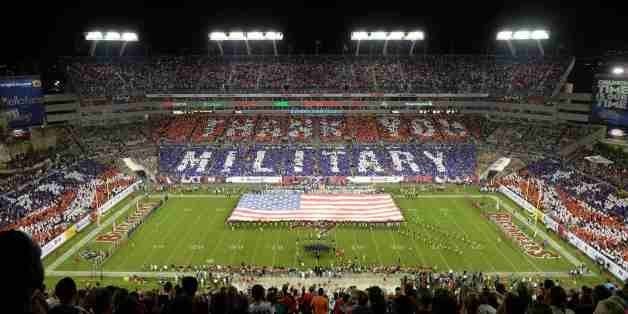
(447, 128)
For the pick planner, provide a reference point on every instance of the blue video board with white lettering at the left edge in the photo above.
(21, 101)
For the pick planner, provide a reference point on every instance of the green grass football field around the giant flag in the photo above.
(442, 231)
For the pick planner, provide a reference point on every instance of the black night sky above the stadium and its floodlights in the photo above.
(42, 31)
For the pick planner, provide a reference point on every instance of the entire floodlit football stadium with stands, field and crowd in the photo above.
(378, 179)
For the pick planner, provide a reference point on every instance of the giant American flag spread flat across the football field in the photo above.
(296, 206)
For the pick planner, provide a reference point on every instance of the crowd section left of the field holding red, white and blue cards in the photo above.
(48, 201)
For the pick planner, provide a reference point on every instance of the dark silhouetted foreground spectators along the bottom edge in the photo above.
(421, 292)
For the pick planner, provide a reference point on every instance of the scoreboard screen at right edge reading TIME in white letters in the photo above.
(610, 105)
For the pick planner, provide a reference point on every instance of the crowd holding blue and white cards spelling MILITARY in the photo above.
(443, 162)
